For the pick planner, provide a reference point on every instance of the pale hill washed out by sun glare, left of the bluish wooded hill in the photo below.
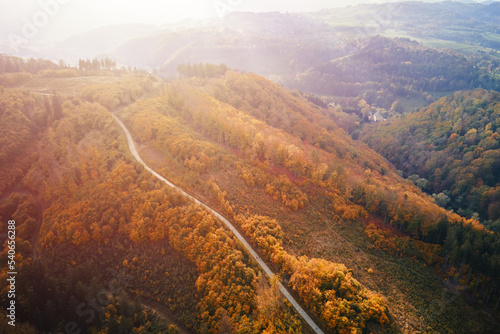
(271, 44)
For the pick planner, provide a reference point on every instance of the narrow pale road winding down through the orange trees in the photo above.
(238, 235)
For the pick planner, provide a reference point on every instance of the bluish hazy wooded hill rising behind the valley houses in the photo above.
(382, 70)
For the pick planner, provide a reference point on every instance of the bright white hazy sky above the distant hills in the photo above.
(61, 18)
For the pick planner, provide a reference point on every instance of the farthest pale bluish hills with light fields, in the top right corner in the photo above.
(458, 21)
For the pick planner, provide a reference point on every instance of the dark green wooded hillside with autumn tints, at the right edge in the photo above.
(451, 150)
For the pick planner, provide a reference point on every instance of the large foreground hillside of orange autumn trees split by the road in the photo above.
(103, 246)
